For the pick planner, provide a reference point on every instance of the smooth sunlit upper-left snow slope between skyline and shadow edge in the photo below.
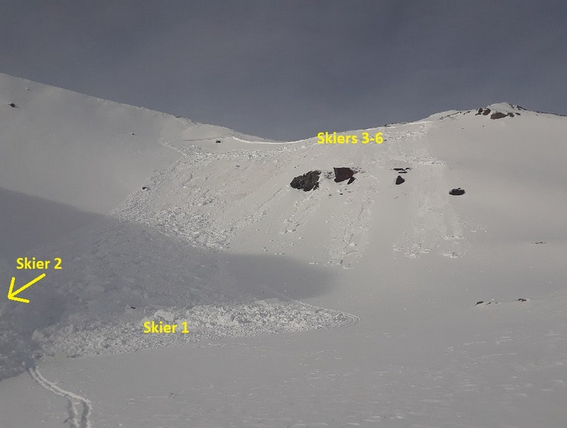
(73, 149)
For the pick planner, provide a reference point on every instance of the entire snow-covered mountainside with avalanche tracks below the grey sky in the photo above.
(393, 301)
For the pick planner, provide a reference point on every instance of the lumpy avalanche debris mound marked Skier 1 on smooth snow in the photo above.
(197, 324)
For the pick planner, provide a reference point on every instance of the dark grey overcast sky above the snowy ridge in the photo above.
(290, 69)
